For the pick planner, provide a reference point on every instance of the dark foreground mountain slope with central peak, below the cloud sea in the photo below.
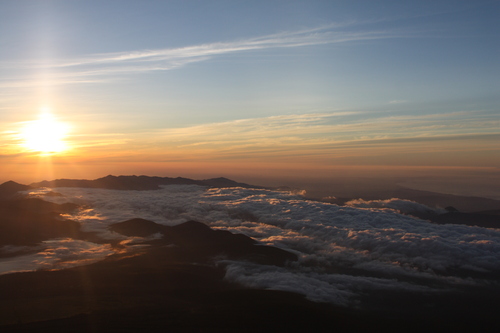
(172, 284)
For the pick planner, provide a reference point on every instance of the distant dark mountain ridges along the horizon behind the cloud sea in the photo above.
(463, 210)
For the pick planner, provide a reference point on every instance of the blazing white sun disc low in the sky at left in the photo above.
(45, 135)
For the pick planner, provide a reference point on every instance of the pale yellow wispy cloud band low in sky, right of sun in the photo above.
(342, 126)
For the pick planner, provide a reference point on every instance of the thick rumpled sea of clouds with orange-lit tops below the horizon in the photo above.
(343, 251)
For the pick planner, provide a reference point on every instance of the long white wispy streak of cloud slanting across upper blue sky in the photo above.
(105, 66)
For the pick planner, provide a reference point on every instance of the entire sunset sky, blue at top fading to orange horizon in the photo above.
(239, 88)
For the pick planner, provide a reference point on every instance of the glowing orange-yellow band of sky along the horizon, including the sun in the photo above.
(249, 150)
